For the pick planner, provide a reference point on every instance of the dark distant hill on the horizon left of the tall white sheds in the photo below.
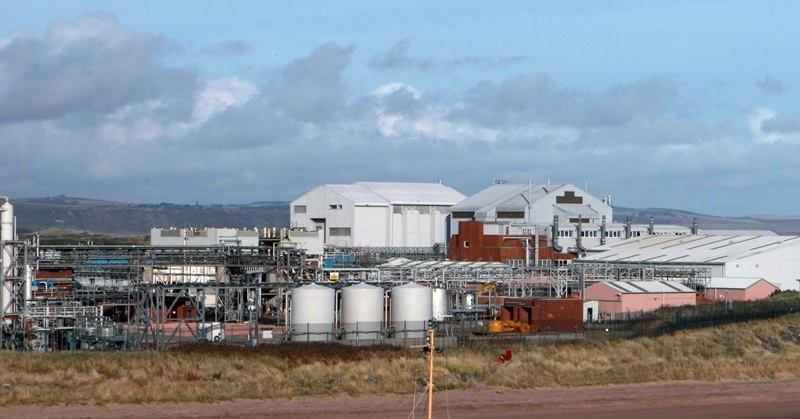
(115, 218)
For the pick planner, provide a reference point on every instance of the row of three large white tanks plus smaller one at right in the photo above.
(313, 311)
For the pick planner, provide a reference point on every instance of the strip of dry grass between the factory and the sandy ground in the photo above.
(207, 373)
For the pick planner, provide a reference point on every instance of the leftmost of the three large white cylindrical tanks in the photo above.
(313, 313)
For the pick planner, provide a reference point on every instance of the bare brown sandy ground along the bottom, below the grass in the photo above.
(690, 399)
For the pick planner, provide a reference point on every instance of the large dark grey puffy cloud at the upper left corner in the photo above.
(91, 65)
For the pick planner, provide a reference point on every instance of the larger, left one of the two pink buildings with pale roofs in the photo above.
(618, 300)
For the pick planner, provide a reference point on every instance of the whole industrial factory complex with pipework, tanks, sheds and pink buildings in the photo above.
(377, 262)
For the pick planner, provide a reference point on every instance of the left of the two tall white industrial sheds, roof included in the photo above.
(377, 214)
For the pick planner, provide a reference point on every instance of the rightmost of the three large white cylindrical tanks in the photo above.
(411, 310)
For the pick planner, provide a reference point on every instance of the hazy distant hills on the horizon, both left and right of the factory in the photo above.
(124, 219)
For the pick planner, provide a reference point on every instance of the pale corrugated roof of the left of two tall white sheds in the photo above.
(396, 193)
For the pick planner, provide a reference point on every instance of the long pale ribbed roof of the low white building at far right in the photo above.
(689, 248)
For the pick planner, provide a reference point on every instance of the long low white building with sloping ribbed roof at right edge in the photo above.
(773, 258)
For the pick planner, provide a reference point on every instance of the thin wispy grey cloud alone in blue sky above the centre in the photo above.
(398, 59)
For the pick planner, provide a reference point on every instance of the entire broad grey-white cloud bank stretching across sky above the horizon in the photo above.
(140, 130)
